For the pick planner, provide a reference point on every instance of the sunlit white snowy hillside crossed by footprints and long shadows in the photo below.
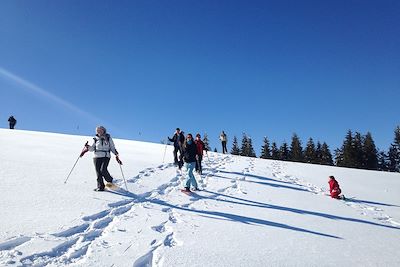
(252, 212)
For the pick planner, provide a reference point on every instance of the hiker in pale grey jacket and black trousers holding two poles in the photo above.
(102, 146)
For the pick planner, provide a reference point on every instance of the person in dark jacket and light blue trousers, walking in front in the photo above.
(190, 156)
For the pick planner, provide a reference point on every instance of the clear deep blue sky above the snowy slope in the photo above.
(143, 68)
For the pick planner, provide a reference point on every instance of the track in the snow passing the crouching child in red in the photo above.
(364, 208)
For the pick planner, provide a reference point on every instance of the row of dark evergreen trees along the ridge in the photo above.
(357, 151)
